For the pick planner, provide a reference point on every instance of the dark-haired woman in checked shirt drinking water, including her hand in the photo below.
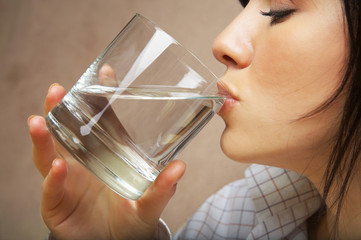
(293, 69)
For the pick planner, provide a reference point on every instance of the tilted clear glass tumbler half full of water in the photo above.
(137, 105)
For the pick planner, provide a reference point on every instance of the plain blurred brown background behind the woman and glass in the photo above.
(46, 41)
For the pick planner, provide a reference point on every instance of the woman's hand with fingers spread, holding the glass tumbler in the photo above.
(75, 205)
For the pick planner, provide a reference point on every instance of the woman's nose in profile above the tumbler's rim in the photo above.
(233, 46)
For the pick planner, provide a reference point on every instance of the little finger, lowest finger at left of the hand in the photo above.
(53, 188)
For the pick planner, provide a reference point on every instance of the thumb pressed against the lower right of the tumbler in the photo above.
(155, 199)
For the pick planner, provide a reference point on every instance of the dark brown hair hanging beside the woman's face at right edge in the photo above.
(345, 158)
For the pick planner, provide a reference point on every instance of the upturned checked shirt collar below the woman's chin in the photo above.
(283, 199)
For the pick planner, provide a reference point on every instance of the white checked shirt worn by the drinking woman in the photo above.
(270, 203)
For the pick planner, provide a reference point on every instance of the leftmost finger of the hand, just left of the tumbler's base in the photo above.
(43, 146)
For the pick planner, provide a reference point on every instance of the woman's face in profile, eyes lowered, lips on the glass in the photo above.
(284, 59)
